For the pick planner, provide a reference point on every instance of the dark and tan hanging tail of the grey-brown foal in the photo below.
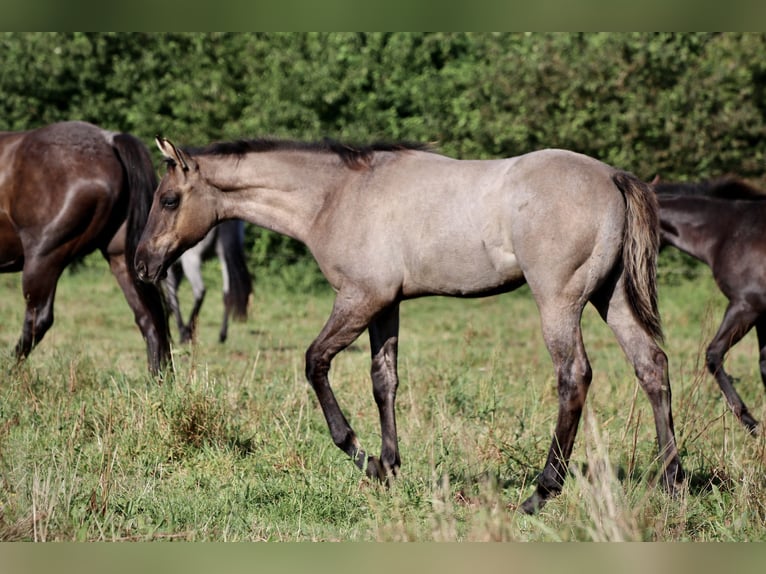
(639, 250)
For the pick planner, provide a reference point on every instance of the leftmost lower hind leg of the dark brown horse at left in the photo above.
(39, 279)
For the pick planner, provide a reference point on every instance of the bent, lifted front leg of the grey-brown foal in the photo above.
(350, 316)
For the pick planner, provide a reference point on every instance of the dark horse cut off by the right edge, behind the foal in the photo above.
(722, 222)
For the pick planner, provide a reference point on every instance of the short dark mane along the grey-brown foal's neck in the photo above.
(354, 156)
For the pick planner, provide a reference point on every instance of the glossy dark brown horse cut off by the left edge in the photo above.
(66, 190)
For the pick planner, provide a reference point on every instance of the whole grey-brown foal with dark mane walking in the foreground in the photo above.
(389, 223)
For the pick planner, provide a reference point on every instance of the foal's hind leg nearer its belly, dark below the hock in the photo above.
(563, 337)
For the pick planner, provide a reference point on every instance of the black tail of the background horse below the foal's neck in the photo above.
(231, 238)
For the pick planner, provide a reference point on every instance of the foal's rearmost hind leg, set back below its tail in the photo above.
(651, 367)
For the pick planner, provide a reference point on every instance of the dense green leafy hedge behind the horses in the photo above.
(683, 105)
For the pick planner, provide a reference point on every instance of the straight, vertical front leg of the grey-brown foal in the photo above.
(384, 343)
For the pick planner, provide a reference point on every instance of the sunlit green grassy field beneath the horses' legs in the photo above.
(236, 447)
